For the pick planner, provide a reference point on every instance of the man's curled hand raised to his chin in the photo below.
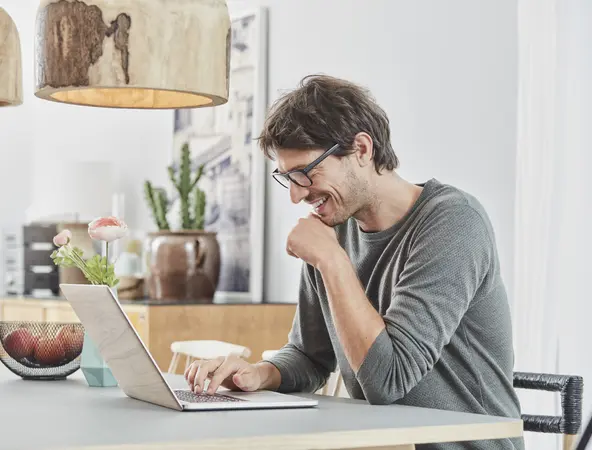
(311, 240)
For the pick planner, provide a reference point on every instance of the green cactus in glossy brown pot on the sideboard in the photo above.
(183, 264)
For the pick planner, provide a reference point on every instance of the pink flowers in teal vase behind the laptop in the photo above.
(97, 270)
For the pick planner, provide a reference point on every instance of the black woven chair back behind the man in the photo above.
(571, 389)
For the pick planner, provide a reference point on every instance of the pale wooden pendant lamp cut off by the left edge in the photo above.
(11, 79)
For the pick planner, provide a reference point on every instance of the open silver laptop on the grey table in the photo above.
(134, 368)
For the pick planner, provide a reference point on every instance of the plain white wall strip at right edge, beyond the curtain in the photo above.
(574, 241)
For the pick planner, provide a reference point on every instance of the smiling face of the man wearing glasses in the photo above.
(338, 190)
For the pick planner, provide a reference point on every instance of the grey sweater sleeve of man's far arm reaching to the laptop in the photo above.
(307, 360)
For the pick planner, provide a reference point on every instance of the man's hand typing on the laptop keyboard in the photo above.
(231, 372)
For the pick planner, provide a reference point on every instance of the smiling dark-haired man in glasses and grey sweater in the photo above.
(400, 285)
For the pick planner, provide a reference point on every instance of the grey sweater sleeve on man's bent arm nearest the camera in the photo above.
(446, 265)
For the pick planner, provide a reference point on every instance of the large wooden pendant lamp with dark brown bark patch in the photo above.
(137, 54)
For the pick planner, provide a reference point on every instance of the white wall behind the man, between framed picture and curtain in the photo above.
(444, 71)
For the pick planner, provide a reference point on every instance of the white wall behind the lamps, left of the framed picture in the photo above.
(38, 135)
